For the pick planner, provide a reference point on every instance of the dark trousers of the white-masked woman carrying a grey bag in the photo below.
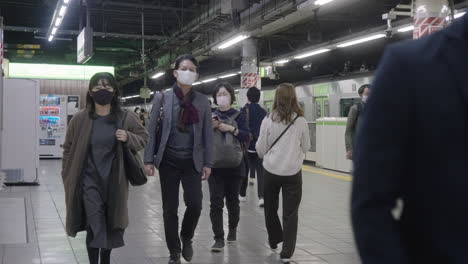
(224, 183)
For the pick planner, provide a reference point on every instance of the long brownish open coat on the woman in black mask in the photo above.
(76, 148)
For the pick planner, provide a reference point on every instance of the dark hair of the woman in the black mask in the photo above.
(115, 103)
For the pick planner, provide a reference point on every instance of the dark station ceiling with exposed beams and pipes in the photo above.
(176, 26)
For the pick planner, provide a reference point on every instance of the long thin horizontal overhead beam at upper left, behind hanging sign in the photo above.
(76, 33)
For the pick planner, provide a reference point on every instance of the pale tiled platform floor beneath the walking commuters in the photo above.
(324, 230)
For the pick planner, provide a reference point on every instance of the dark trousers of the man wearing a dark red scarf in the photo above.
(172, 172)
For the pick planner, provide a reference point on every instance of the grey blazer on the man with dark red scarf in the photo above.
(203, 132)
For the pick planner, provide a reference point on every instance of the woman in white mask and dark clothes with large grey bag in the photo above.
(230, 131)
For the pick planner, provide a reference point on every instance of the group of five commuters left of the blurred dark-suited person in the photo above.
(188, 141)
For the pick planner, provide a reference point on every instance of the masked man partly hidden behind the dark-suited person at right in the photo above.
(353, 118)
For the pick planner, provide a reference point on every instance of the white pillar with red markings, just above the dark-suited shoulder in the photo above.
(430, 16)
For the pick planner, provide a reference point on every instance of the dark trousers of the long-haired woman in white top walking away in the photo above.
(291, 187)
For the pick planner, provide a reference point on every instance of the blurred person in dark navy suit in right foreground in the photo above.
(413, 145)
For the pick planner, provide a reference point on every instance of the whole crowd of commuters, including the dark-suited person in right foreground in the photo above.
(190, 141)
